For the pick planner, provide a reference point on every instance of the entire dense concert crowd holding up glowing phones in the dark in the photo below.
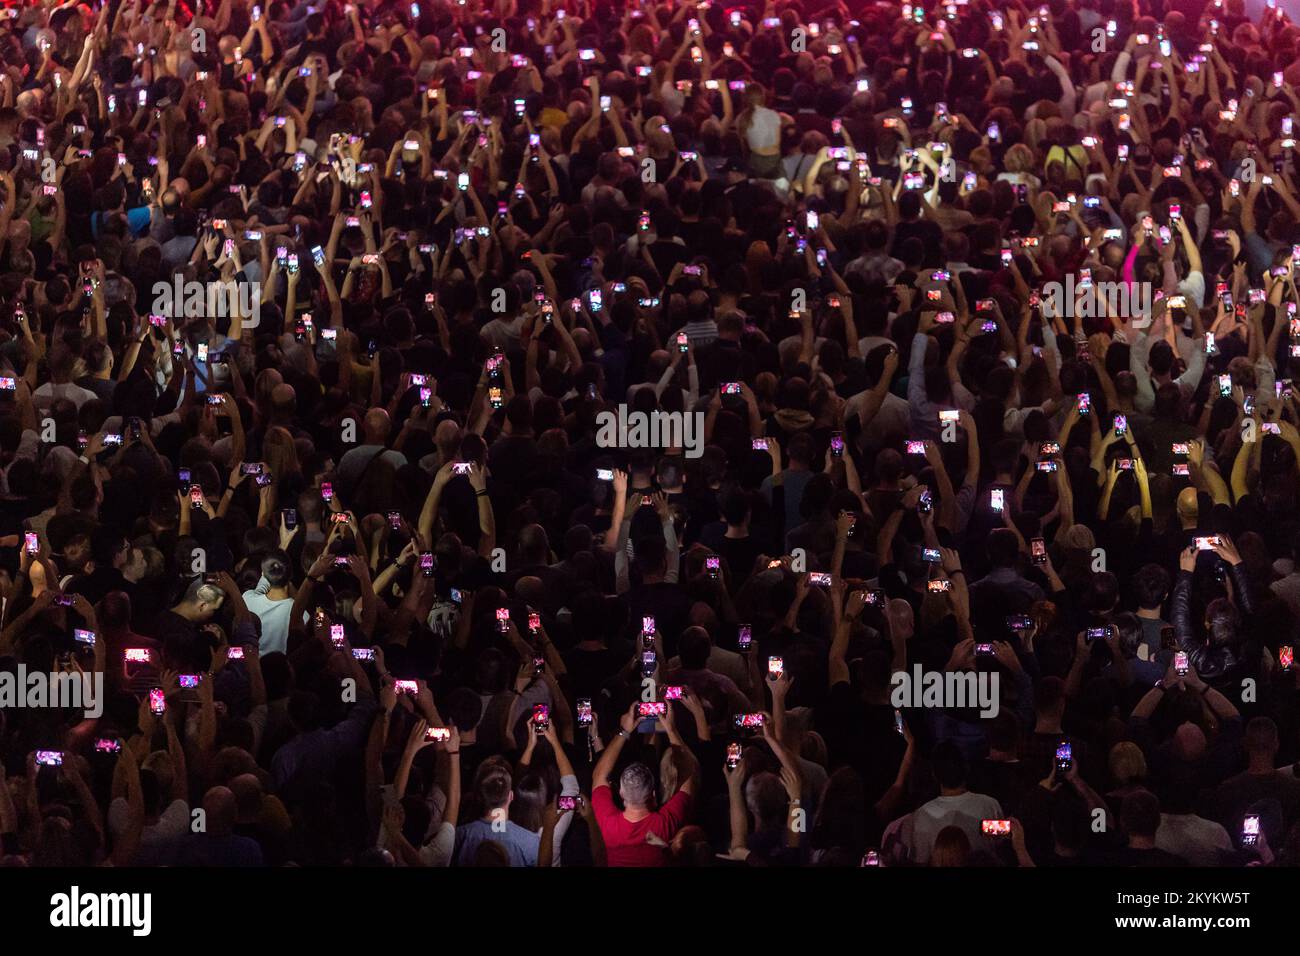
(980, 322)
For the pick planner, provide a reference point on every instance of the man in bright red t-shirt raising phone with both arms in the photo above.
(626, 832)
